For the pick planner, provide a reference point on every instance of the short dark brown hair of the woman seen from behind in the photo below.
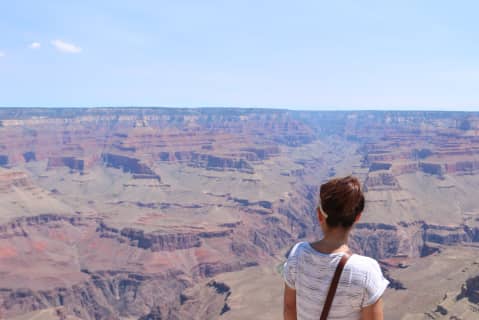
(342, 200)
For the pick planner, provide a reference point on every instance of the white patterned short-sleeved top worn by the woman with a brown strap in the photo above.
(310, 273)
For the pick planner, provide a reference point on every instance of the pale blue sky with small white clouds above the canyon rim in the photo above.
(292, 54)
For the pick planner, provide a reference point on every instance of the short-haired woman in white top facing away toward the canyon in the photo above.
(310, 266)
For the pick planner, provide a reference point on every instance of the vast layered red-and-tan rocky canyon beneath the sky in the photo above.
(159, 213)
